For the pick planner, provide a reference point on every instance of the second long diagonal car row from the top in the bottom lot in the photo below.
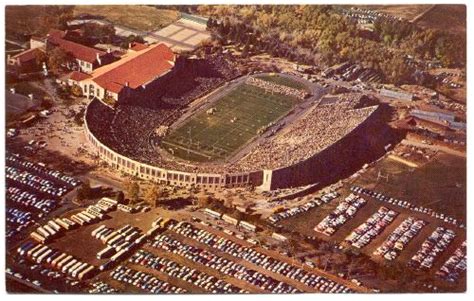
(223, 265)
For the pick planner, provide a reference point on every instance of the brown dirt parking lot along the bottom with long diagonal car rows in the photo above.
(193, 256)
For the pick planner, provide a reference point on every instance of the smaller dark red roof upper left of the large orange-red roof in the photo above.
(79, 51)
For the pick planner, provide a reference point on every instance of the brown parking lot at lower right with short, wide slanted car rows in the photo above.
(397, 238)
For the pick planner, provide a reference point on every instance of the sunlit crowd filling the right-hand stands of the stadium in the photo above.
(322, 126)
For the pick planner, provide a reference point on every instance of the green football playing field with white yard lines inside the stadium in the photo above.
(207, 137)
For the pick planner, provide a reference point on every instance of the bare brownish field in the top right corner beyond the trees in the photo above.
(451, 18)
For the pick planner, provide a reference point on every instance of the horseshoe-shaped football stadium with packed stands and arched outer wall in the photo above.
(209, 125)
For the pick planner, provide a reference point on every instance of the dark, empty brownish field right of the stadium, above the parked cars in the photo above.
(440, 184)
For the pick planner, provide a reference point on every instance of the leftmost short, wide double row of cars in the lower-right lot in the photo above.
(345, 211)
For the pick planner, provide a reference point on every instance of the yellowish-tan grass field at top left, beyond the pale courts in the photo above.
(139, 17)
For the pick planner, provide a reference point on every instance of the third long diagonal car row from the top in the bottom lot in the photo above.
(173, 269)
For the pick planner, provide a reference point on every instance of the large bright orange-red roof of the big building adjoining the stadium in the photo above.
(138, 71)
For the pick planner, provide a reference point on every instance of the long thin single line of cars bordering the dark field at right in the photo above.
(408, 205)
